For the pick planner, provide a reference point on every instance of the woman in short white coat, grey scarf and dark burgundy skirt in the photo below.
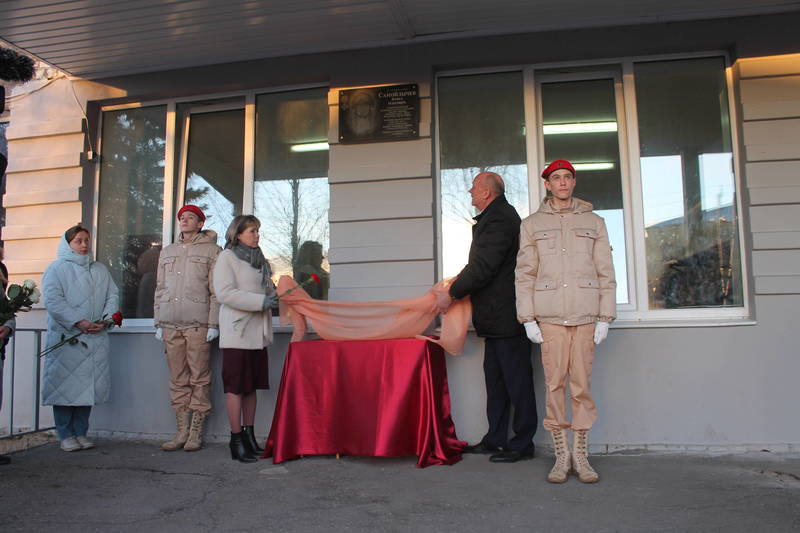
(246, 294)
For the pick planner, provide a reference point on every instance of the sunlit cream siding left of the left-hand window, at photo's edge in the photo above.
(46, 143)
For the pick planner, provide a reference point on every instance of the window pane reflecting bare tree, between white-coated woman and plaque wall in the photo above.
(291, 190)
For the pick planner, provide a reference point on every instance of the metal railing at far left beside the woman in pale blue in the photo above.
(11, 370)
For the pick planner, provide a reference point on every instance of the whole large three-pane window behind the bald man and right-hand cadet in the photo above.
(658, 168)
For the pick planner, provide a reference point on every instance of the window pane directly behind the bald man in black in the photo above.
(481, 122)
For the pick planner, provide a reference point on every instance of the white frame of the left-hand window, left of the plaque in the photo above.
(172, 150)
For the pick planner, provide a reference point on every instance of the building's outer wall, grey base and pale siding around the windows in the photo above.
(675, 388)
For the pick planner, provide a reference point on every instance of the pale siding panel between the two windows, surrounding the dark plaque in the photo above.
(381, 212)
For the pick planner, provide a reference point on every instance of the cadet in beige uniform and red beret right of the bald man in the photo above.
(566, 298)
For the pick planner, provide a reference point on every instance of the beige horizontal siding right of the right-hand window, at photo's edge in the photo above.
(770, 100)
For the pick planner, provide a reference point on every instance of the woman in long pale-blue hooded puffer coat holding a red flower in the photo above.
(78, 294)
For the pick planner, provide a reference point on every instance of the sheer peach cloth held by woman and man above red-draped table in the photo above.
(392, 319)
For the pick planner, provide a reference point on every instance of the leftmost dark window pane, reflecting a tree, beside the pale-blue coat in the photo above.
(131, 203)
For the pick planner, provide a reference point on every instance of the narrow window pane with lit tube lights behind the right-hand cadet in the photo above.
(580, 125)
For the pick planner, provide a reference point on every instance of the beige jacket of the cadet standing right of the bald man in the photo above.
(564, 272)
